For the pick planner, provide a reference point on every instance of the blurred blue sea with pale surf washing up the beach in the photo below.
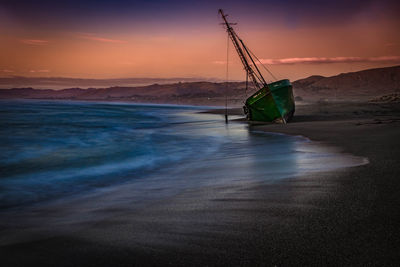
(52, 150)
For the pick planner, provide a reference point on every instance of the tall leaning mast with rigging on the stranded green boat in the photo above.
(256, 77)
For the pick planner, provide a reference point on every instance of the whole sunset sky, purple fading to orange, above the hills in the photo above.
(164, 39)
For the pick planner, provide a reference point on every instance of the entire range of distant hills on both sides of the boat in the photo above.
(364, 85)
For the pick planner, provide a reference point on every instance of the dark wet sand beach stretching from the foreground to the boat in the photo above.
(342, 218)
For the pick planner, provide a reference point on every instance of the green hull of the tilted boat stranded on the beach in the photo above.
(274, 103)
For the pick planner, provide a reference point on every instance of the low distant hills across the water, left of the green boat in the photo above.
(201, 93)
